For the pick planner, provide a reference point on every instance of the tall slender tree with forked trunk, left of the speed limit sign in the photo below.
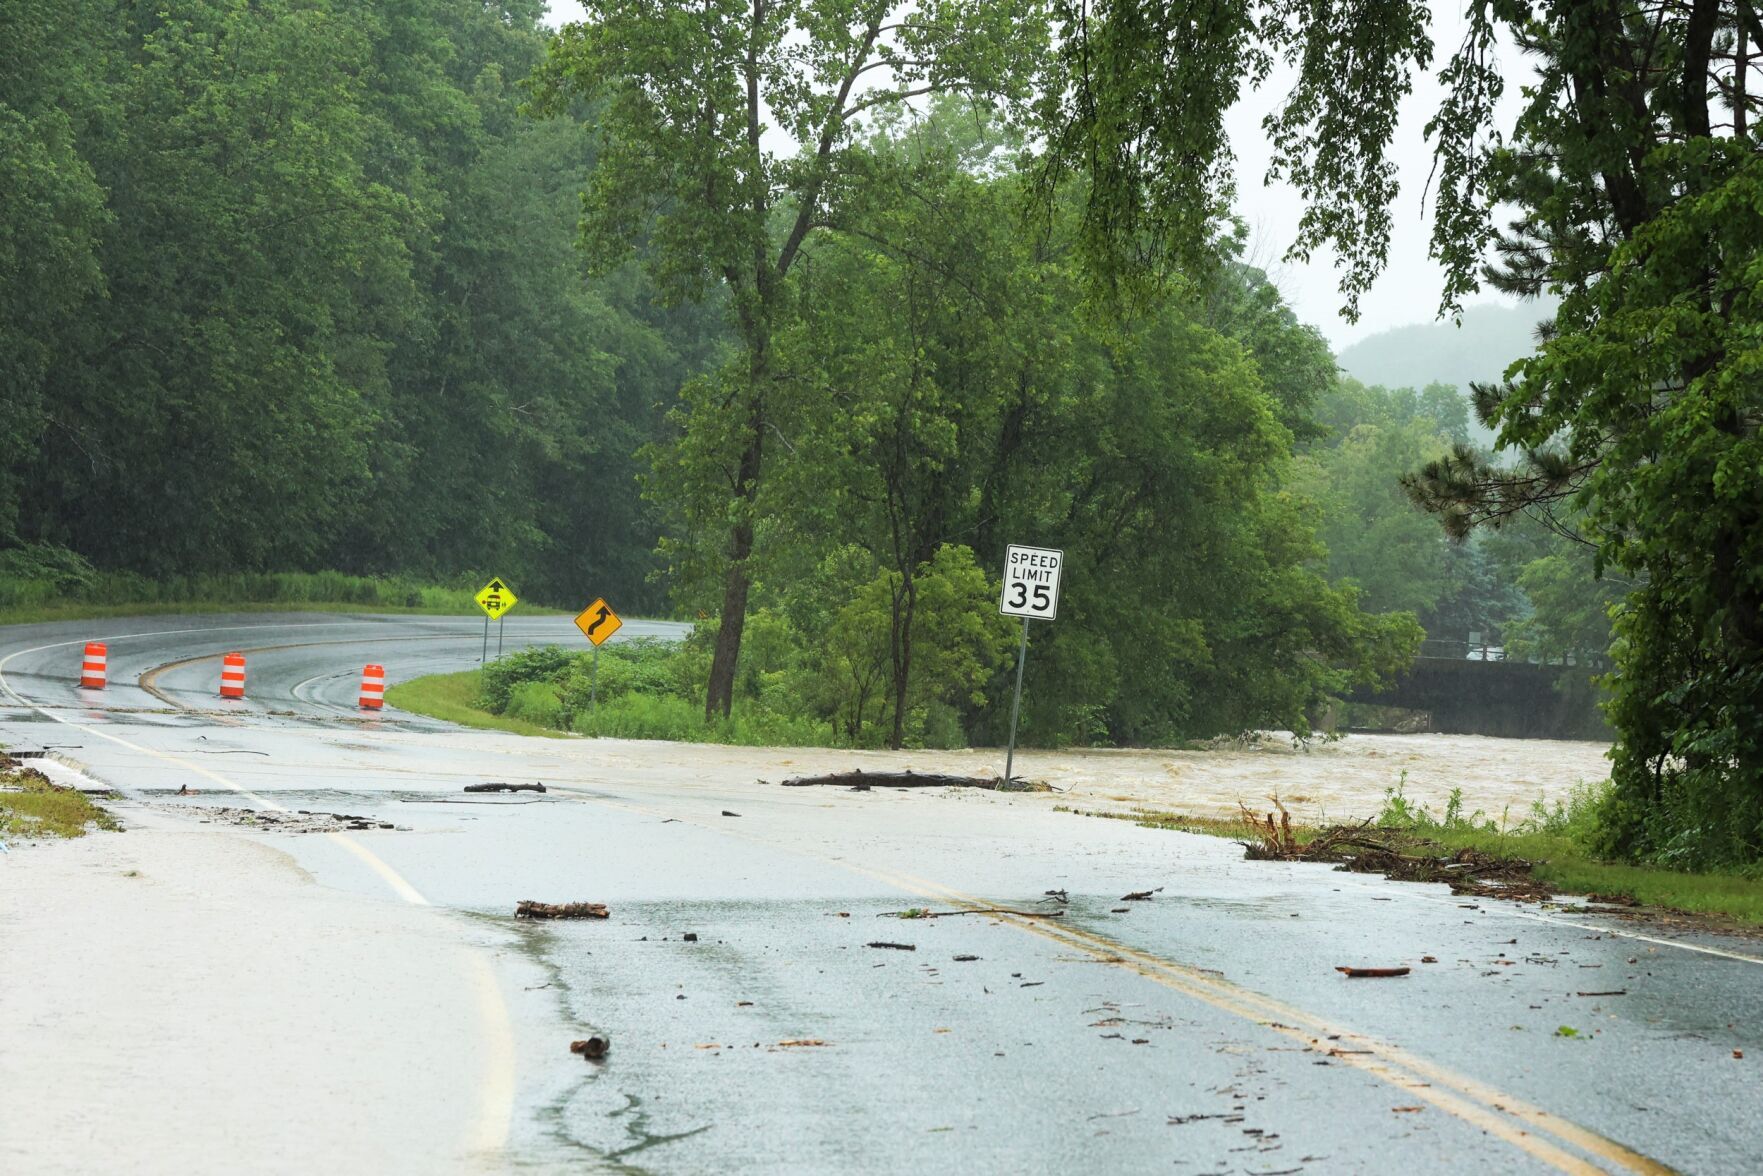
(727, 135)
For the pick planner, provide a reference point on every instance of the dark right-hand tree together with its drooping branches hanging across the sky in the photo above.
(1635, 172)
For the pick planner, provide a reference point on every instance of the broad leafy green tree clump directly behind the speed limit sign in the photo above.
(942, 385)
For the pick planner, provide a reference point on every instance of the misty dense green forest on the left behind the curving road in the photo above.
(294, 285)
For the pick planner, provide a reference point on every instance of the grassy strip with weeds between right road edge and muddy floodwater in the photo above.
(1551, 840)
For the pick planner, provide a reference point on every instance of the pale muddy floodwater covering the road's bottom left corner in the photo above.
(193, 1002)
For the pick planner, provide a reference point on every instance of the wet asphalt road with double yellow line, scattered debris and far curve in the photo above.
(1203, 1031)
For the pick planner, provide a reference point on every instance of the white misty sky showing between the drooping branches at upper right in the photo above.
(1410, 288)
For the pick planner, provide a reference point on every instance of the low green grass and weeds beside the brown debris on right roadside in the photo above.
(1552, 845)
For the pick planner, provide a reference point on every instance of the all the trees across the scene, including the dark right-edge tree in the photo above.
(787, 318)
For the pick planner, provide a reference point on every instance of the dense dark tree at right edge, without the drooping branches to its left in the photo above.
(1637, 181)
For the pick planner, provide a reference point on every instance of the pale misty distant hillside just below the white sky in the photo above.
(1413, 357)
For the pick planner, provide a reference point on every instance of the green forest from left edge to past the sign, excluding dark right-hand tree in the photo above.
(304, 285)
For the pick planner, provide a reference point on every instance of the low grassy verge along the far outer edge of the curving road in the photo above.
(84, 593)
